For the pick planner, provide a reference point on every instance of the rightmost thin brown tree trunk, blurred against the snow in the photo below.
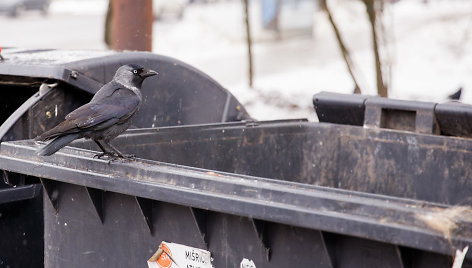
(372, 11)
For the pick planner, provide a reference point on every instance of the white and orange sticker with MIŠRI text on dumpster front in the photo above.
(172, 255)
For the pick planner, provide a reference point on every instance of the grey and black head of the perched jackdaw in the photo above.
(133, 74)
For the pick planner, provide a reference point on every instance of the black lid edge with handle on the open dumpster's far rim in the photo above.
(451, 118)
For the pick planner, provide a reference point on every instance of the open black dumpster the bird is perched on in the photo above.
(386, 185)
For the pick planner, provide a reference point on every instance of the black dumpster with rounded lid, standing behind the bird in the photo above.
(39, 87)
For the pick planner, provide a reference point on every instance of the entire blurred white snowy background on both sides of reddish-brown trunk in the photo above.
(429, 48)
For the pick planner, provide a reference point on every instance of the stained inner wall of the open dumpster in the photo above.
(390, 162)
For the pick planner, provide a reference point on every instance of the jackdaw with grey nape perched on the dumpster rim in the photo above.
(106, 116)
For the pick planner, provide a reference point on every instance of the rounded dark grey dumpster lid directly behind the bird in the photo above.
(180, 95)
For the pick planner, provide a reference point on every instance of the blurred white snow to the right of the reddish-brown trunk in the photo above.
(429, 51)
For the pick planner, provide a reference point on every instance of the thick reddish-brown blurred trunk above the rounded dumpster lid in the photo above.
(128, 25)
